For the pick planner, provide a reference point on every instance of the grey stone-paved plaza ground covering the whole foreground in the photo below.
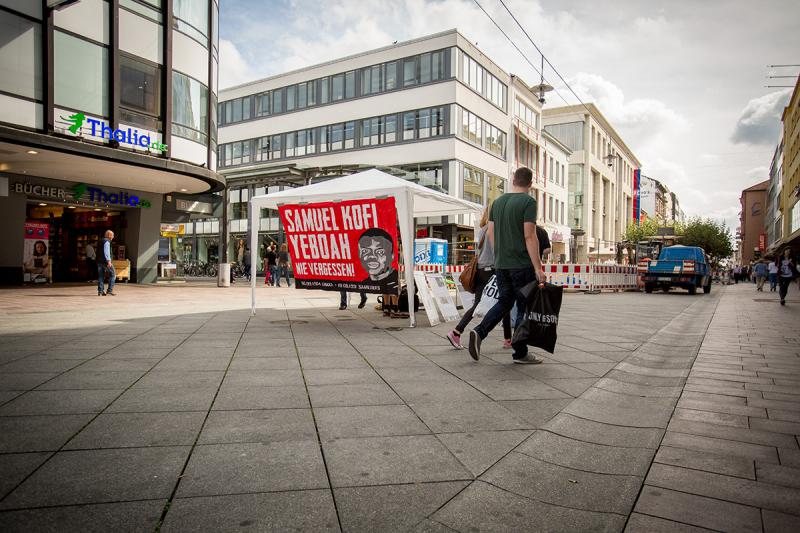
(172, 408)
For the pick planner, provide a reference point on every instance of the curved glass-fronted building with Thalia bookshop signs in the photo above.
(107, 121)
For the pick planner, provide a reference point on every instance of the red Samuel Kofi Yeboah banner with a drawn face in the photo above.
(349, 245)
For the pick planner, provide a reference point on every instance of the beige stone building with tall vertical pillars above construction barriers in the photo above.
(601, 184)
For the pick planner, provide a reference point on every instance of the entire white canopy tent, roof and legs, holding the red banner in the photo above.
(412, 201)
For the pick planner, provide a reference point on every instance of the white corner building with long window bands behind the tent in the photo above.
(434, 110)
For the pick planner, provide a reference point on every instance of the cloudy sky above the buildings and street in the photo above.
(683, 81)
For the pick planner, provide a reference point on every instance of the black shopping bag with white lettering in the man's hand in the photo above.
(539, 323)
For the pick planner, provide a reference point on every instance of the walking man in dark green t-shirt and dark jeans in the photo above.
(512, 232)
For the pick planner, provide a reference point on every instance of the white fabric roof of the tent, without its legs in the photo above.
(370, 184)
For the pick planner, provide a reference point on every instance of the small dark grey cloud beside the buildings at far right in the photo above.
(760, 121)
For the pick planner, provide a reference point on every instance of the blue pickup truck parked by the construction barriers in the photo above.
(685, 267)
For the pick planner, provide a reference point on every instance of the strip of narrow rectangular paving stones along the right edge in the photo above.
(729, 459)
